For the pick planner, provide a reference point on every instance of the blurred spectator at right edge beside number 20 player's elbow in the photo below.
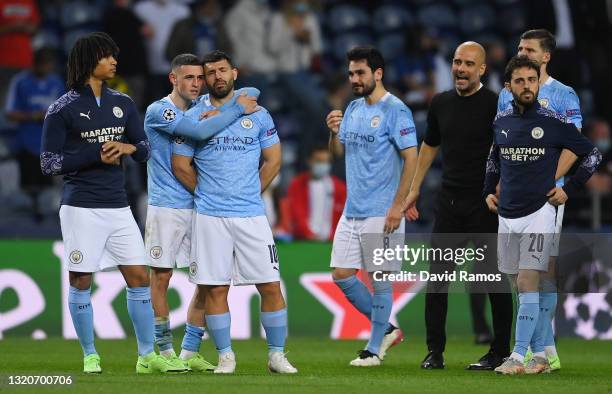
(598, 131)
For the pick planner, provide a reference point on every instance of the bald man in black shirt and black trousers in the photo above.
(459, 121)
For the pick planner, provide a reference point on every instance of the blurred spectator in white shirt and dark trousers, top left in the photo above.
(160, 15)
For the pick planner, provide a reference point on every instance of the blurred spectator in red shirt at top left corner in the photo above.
(19, 20)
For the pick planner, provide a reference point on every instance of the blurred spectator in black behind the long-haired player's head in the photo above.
(128, 31)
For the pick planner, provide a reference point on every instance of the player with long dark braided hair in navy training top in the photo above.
(86, 133)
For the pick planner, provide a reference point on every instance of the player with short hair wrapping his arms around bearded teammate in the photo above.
(169, 214)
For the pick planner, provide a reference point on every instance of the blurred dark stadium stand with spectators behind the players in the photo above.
(417, 38)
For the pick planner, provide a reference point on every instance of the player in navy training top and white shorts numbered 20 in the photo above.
(528, 140)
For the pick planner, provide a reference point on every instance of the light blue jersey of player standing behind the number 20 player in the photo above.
(554, 96)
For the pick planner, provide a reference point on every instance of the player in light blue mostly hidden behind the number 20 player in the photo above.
(538, 45)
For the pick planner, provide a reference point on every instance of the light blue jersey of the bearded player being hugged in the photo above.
(228, 164)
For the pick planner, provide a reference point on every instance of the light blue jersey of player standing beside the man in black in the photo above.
(372, 136)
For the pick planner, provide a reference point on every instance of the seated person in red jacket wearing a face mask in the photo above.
(315, 199)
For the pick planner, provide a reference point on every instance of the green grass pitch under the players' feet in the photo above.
(323, 366)
